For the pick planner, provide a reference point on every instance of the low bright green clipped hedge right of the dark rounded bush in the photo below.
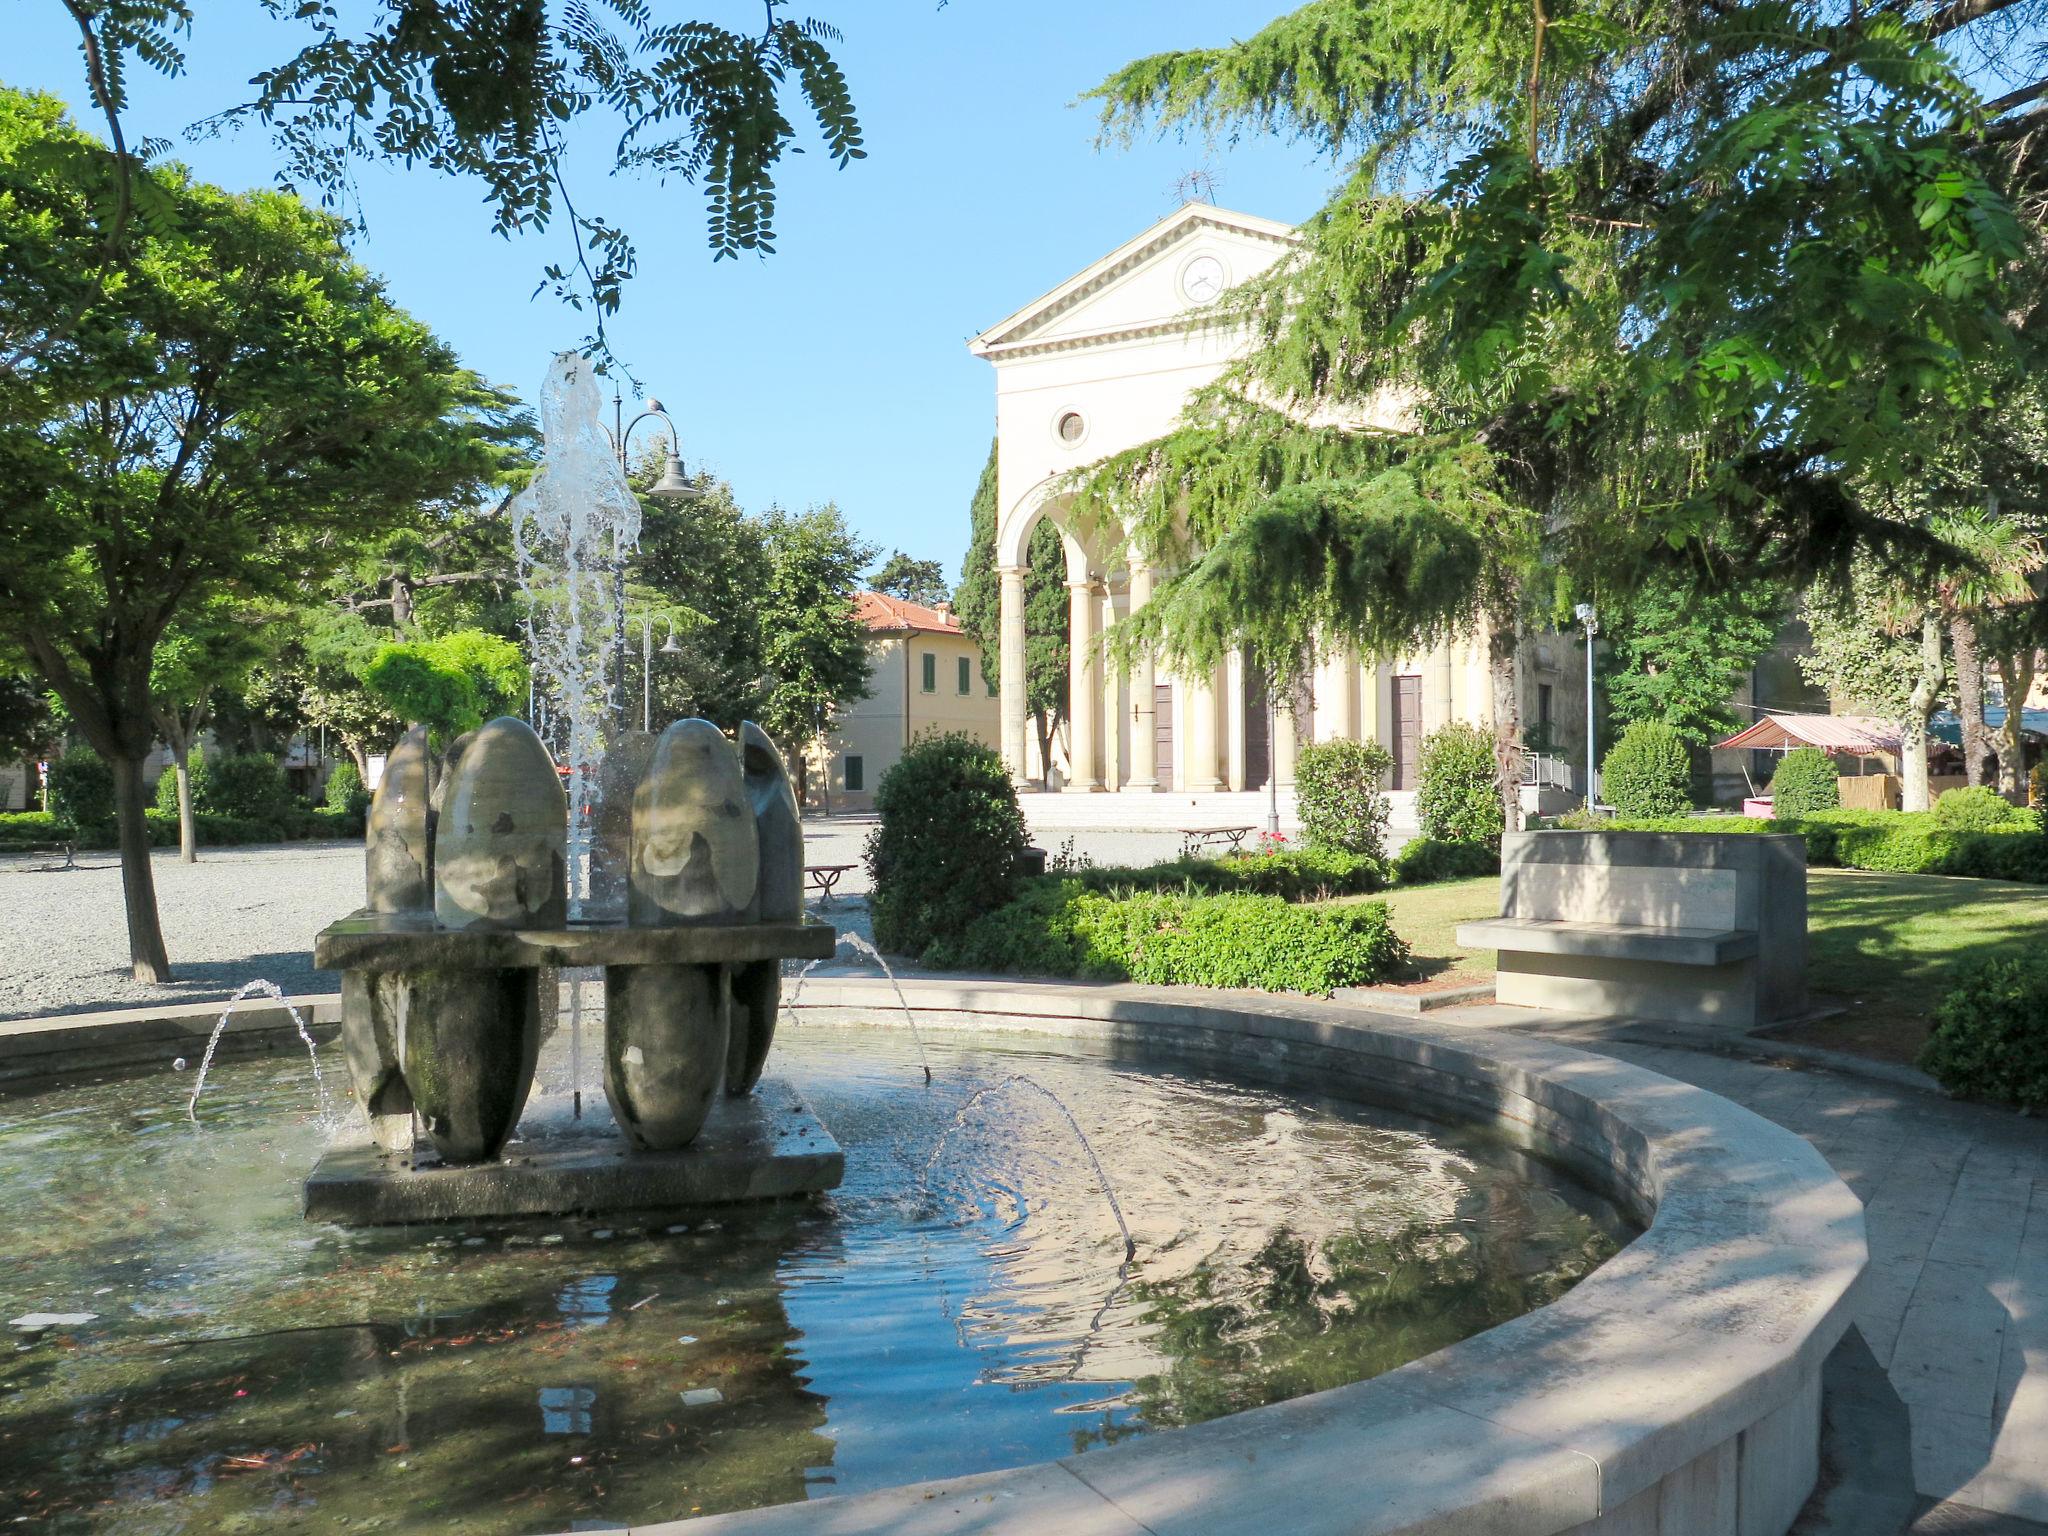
(1060, 927)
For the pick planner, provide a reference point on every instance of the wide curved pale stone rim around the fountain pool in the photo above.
(1674, 1390)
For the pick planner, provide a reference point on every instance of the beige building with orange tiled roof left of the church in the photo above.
(925, 675)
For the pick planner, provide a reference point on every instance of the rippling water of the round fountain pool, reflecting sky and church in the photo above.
(957, 1306)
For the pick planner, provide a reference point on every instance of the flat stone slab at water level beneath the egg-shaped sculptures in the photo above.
(763, 1146)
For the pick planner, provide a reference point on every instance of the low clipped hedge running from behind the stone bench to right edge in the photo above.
(1895, 843)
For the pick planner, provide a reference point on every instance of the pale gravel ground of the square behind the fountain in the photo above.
(253, 912)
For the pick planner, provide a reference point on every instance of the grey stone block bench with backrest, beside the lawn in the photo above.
(1676, 927)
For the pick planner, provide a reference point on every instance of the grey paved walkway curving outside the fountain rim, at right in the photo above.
(1955, 1306)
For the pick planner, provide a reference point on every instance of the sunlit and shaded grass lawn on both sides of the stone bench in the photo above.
(1883, 947)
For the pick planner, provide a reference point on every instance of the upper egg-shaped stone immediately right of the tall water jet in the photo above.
(695, 849)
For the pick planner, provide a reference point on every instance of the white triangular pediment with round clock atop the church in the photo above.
(1148, 284)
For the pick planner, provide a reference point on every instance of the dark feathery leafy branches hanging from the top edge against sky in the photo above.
(490, 91)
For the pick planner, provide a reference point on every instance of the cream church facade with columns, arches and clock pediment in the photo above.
(1103, 364)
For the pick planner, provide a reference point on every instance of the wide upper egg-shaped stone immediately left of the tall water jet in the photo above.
(501, 847)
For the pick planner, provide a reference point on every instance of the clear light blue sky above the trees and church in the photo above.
(835, 370)
